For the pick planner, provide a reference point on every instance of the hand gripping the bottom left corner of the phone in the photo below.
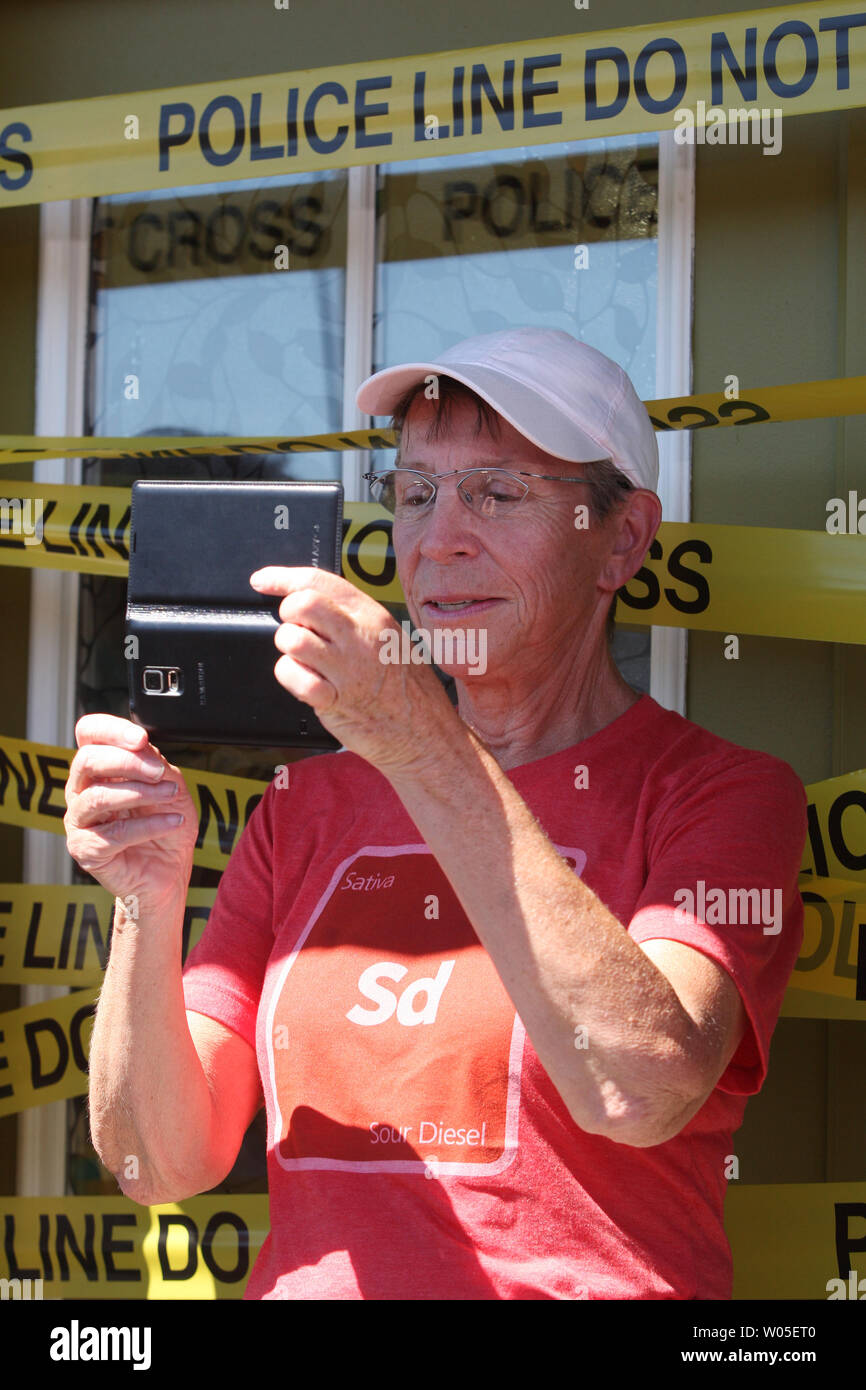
(131, 821)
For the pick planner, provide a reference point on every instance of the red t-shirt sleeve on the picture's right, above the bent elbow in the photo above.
(724, 878)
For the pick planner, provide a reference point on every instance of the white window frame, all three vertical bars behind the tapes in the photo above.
(65, 268)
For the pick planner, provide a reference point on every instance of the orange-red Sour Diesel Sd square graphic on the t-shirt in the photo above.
(387, 1057)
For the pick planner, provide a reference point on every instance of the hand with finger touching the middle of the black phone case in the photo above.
(389, 714)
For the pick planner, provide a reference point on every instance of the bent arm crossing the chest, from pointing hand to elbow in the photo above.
(658, 1040)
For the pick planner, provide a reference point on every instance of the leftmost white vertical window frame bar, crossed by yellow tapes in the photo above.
(62, 325)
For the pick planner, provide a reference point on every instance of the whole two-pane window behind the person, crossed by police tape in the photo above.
(194, 329)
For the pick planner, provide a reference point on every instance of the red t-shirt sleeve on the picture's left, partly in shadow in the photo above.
(224, 974)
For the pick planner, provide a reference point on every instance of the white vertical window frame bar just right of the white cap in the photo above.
(673, 379)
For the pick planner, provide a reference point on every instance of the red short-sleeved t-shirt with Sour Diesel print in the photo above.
(416, 1146)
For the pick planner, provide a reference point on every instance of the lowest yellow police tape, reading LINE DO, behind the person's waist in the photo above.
(789, 1241)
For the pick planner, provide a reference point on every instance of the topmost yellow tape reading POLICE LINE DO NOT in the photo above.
(793, 60)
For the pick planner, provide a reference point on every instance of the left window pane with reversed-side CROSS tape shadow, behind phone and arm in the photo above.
(197, 332)
